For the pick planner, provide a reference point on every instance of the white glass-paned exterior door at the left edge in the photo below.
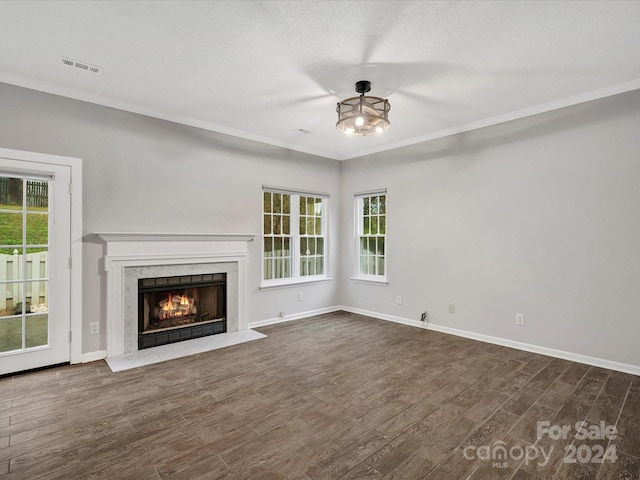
(35, 245)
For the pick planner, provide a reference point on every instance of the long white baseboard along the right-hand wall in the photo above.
(574, 357)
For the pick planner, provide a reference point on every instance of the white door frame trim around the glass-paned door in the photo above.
(75, 165)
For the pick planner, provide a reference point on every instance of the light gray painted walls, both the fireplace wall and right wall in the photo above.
(537, 216)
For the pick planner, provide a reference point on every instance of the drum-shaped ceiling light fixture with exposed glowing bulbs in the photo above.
(363, 115)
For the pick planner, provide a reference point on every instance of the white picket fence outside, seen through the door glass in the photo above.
(11, 269)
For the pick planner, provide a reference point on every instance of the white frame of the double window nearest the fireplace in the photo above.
(294, 228)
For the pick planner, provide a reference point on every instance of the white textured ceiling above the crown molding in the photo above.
(273, 71)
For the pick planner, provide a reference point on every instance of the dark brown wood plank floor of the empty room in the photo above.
(338, 396)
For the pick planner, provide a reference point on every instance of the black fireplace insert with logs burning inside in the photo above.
(177, 308)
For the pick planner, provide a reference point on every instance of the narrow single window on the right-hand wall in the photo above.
(371, 228)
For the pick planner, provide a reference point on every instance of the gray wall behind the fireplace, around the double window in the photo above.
(147, 175)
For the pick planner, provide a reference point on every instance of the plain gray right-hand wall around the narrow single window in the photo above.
(537, 216)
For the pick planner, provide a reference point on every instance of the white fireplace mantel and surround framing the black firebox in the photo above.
(131, 256)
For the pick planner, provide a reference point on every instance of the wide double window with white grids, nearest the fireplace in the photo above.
(294, 236)
